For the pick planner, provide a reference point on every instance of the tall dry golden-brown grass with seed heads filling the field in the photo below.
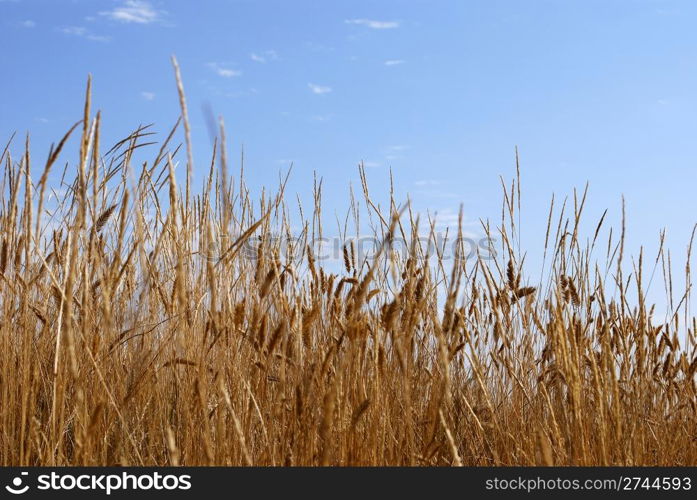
(136, 328)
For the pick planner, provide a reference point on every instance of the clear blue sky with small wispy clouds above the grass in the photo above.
(440, 91)
